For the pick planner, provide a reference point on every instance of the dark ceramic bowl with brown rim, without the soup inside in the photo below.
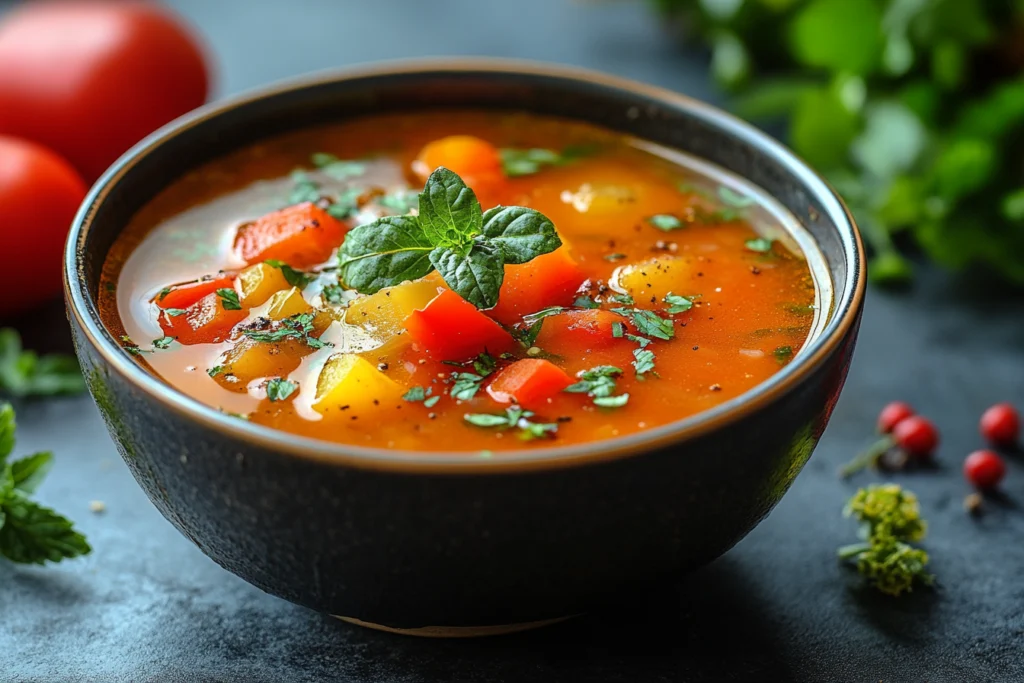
(445, 543)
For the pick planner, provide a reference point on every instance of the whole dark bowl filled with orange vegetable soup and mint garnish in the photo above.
(465, 347)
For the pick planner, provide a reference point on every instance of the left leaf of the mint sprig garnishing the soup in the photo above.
(385, 253)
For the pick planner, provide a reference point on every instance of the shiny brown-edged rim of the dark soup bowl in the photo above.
(83, 307)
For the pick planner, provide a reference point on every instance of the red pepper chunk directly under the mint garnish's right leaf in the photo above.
(550, 280)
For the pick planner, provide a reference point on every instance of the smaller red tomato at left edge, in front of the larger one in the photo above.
(39, 195)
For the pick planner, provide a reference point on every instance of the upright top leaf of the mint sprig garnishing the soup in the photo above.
(450, 215)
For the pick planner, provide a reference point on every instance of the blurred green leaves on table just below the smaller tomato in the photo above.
(24, 373)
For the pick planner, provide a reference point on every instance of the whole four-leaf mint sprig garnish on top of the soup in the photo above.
(453, 235)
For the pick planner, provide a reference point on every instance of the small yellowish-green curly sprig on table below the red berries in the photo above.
(890, 520)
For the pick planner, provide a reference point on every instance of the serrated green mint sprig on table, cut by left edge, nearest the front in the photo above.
(30, 533)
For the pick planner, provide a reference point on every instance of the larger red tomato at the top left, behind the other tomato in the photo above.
(90, 79)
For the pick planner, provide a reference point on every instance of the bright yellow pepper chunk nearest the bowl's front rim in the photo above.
(351, 386)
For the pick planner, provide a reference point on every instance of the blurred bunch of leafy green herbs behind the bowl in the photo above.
(913, 109)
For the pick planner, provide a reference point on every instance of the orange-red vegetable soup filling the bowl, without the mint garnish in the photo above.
(672, 291)
